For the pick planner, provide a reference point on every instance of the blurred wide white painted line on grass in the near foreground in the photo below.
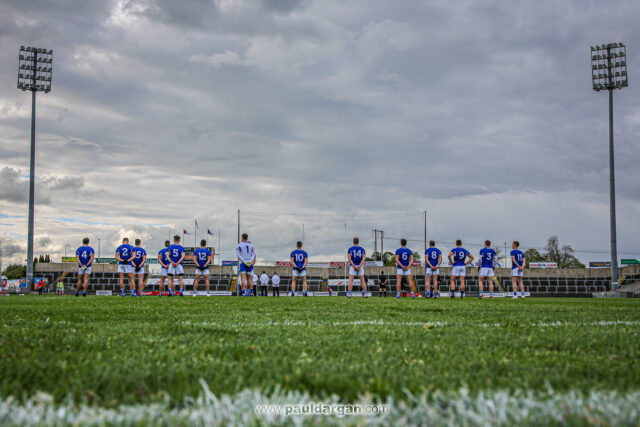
(500, 408)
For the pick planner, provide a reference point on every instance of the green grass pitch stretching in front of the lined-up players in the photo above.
(112, 352)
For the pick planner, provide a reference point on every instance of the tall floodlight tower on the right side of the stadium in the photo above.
(609, 71)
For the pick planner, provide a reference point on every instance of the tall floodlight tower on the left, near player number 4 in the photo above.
(34, 74)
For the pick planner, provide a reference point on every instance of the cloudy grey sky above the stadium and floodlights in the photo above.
(320, 120)
